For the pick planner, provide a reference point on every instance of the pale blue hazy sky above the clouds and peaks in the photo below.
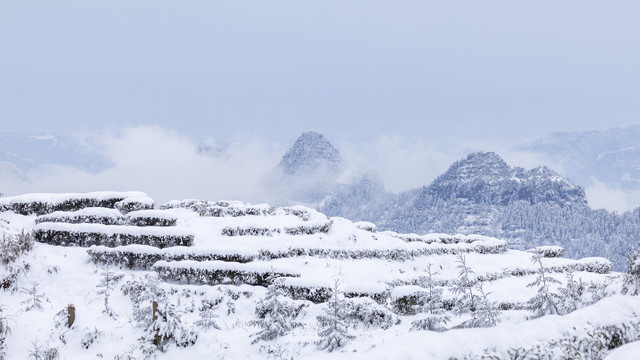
(445, 70)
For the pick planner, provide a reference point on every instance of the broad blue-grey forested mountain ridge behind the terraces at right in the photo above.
(482, 194)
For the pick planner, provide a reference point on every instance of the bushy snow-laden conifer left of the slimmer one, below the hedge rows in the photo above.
(276, 315)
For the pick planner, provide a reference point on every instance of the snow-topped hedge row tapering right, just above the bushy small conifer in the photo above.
(220, 272)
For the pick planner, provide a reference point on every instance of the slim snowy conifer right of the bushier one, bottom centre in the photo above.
(334, 332)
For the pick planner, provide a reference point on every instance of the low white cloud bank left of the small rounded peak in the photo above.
(164, 164)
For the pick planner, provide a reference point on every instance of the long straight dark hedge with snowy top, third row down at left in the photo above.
(95, 234)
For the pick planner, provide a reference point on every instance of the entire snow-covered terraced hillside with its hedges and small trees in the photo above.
(199, 279)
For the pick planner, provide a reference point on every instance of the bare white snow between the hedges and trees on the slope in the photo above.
(386, 264)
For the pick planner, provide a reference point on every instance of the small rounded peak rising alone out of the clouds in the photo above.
(309, 153)
